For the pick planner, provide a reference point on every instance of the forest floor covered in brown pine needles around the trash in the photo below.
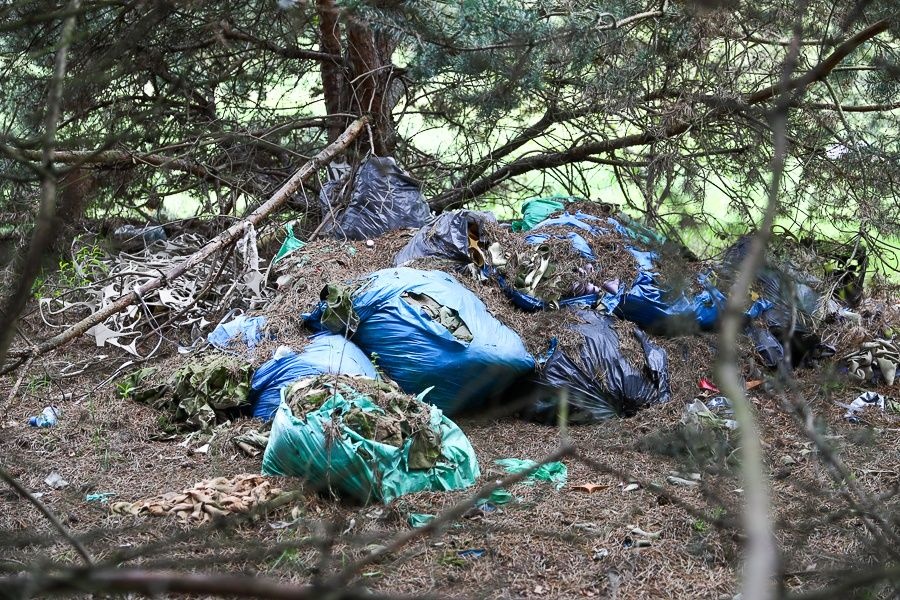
(621, 527)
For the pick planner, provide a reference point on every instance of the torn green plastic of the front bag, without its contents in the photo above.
(326, 451)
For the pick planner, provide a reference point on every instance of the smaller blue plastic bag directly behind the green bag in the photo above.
(325, 354)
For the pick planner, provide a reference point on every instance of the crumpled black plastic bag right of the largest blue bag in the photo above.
(601, 383)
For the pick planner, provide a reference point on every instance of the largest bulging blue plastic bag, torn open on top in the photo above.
(414, 346)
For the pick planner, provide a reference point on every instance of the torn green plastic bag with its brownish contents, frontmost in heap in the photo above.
(326, 448)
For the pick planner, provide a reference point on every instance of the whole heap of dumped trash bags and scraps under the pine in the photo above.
(397, 320)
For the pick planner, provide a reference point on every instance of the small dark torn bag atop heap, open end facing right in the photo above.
(457, 236)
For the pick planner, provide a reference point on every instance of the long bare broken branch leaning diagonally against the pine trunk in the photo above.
(228, 236)
